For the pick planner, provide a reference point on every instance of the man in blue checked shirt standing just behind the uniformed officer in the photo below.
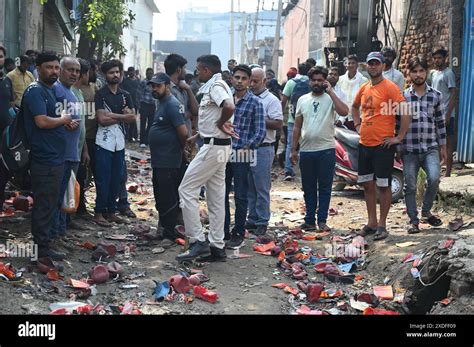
(249, 124)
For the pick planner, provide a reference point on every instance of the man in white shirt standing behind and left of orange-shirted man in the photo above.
(350, 84)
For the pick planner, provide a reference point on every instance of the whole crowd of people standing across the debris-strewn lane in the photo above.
(214, 131)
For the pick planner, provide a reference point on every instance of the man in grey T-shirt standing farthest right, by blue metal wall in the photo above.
(444, 81)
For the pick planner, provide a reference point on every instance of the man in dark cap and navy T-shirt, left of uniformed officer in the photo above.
(167, 137)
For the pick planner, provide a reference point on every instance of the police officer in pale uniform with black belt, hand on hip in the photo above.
(208, 167)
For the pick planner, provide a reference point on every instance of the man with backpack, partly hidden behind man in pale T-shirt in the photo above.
(294, 89)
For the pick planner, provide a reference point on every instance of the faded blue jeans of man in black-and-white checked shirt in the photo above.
(430, 163)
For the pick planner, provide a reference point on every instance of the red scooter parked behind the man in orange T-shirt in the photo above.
(347, 152)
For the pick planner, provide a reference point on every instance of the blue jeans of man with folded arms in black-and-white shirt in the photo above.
(110, 168)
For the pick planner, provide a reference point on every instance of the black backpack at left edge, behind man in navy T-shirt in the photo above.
(15, 146)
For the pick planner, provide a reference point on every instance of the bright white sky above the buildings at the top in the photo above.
(165, 25)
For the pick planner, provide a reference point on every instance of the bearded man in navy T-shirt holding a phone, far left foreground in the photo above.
(46, 134)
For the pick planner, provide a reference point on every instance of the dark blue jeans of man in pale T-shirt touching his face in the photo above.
(317, 175)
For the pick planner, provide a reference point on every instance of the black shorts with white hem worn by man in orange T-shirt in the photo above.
(376, 163)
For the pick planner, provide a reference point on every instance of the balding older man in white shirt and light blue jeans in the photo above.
(260, 177)
